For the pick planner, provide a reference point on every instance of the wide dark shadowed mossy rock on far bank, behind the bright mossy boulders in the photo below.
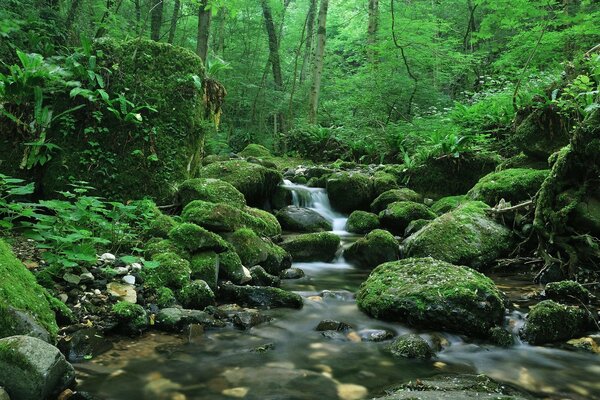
(441, 177)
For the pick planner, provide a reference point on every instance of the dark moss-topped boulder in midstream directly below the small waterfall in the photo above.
(312, 247)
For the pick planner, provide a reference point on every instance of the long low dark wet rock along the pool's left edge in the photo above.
(262, 297)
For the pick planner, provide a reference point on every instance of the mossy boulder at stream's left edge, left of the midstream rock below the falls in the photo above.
(254, 250)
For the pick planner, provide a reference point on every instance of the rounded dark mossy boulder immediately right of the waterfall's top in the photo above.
(349, 191)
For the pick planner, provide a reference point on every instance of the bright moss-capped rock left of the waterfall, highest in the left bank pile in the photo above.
(210, 190)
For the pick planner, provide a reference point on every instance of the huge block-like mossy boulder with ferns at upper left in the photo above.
(131, 156)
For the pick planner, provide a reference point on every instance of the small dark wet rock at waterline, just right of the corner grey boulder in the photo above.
(84, 344)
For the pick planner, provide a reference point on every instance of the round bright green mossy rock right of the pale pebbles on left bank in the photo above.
(173, 272)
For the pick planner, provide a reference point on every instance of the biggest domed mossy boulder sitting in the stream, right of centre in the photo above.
(429, 293)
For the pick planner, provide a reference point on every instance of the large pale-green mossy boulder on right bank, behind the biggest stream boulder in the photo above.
(465, 236)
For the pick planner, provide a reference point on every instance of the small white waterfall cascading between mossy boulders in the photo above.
(316, 199)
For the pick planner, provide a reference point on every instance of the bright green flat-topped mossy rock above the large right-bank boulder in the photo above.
(512, 185)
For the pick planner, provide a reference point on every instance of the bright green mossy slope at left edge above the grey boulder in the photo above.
(19, 290)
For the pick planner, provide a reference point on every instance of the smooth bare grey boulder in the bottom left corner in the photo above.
(33, 369)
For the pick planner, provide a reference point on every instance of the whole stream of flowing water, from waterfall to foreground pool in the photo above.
(288, 359)
